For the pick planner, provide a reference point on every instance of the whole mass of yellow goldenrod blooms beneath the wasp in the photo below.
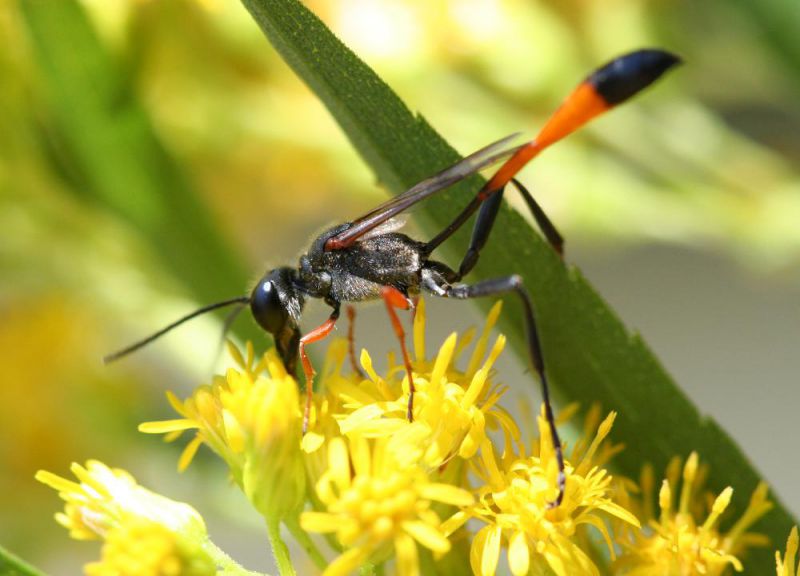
(456, 489)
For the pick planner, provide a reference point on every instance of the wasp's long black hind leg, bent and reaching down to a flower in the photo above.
(433, 281)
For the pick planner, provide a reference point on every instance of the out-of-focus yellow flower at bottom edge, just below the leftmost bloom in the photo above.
(139, 547)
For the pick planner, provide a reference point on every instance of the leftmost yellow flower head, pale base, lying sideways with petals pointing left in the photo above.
(105, 498)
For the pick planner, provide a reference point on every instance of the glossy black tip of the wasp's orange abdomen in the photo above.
(625, 76)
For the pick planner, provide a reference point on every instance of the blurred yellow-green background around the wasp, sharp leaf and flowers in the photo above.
(128, 129)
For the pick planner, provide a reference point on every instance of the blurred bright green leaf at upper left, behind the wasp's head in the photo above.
(111, 156)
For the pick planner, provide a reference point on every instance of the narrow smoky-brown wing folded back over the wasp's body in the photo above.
(473, 163)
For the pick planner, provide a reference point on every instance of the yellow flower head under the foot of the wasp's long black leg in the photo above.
(515, 504)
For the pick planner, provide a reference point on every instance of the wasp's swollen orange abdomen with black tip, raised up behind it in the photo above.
(603, 89)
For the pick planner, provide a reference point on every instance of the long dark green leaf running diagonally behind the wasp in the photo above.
(591, 356)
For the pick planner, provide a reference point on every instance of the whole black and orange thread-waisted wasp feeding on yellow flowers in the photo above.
(369, 258)
